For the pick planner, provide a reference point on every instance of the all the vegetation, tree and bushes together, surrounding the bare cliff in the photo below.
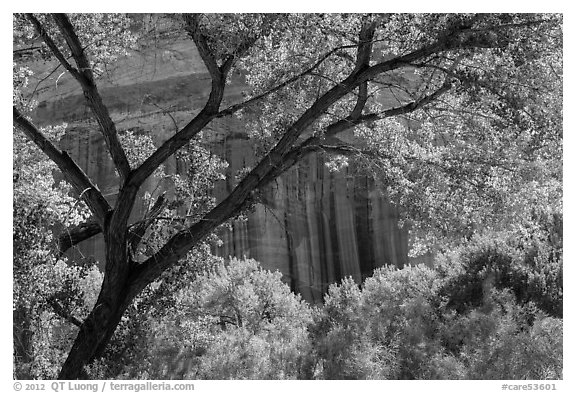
(459, 121)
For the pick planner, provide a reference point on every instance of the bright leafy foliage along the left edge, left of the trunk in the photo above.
(47, 290)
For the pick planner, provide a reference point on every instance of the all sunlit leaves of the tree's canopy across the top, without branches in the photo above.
(464, 132)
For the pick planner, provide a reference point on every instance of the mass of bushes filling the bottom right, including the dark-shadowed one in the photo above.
(483, 314)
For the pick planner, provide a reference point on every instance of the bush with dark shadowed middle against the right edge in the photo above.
(533, 275)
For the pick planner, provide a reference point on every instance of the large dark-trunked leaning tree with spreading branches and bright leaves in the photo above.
(458, 115)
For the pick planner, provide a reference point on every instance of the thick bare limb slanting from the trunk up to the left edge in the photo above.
(71, 171)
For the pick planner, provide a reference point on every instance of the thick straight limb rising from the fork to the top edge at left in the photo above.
(85, 77)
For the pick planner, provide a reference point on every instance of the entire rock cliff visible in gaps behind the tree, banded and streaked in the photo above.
(313, 225)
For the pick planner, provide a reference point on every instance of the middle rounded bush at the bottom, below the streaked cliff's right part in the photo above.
(381, 331)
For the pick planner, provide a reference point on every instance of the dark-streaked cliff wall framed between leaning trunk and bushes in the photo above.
(315, 226)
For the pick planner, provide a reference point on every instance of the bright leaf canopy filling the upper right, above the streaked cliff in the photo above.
(485, 153)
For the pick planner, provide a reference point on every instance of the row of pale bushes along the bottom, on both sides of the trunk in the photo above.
(488, 311)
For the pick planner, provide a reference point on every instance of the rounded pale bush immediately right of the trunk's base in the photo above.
(234, 321)
